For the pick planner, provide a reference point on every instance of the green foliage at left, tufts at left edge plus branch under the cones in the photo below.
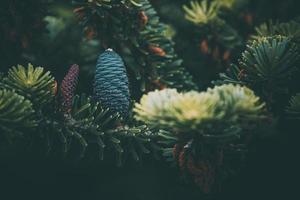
(81, 125)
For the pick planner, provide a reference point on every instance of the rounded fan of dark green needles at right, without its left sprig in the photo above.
(270, 58)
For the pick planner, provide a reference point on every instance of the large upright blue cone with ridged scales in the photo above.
(111, 83)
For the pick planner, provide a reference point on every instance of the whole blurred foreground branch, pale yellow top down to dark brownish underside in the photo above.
(204, 129)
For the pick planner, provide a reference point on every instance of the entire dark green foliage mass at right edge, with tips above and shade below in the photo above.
(269, 64)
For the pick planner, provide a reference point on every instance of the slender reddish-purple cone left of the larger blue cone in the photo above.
(68, 87)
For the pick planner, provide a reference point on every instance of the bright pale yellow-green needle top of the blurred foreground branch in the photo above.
(200, 113)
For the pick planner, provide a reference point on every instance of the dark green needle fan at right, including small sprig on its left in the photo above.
(267, 61)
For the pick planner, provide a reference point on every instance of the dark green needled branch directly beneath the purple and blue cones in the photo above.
(89, 128)
